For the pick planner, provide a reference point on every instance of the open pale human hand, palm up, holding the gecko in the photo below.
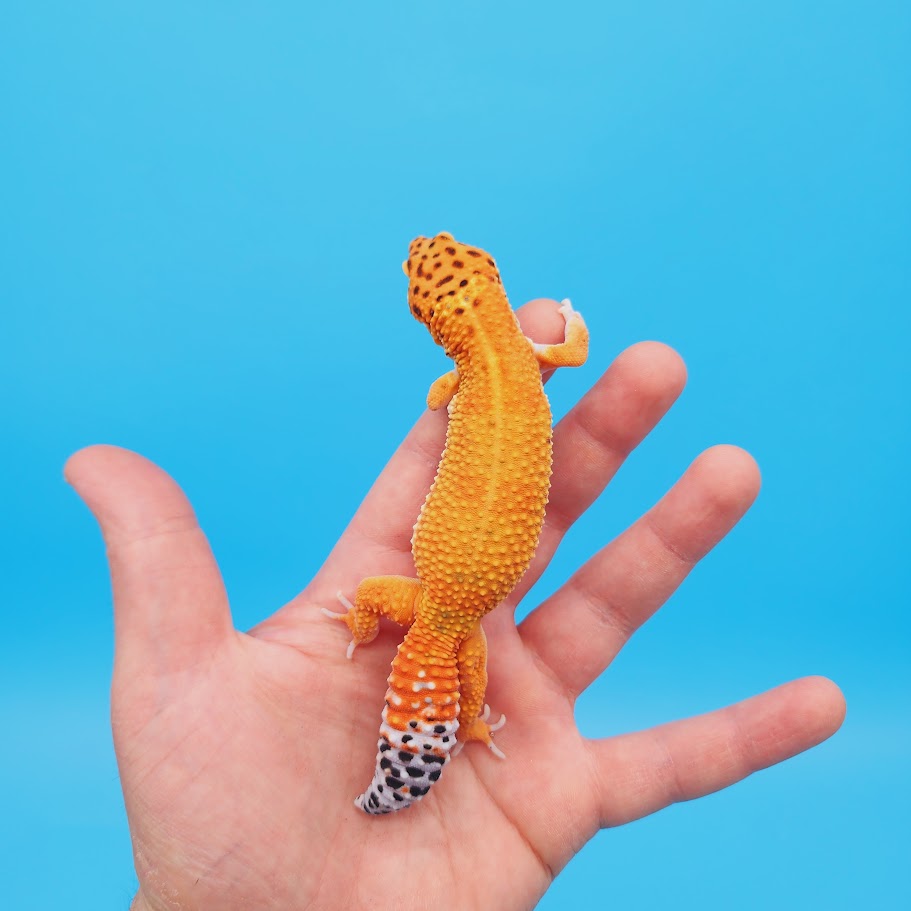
(240, 753)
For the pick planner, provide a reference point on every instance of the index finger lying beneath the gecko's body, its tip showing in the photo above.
(378, 539)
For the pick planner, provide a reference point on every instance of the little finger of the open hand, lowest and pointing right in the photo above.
(637, 774)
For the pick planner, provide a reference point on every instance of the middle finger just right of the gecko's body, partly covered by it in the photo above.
(596, 436)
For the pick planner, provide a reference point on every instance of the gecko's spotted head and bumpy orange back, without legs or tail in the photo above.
(480, 524)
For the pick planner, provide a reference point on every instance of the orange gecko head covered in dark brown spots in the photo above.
(444, 276)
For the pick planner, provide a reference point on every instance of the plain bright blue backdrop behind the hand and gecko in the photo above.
(204, 210)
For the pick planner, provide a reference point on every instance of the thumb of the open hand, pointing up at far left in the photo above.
(169, 602)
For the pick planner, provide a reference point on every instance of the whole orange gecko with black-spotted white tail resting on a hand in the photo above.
(479, 526)
